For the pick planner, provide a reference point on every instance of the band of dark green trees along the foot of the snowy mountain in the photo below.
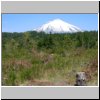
(53, 42)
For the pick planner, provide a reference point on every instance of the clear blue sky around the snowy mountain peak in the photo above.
(26, 22)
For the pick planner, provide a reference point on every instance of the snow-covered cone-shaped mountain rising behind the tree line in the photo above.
(58, 26)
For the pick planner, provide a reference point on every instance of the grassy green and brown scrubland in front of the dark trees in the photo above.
(38, 66)
